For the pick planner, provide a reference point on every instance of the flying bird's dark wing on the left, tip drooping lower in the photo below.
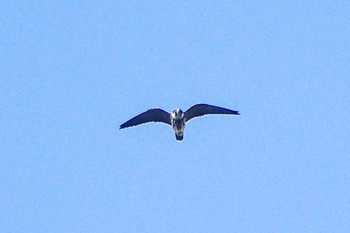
(155, 114)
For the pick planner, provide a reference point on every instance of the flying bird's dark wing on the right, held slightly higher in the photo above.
(203, 109)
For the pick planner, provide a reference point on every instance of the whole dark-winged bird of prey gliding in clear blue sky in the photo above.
(176, 118)
